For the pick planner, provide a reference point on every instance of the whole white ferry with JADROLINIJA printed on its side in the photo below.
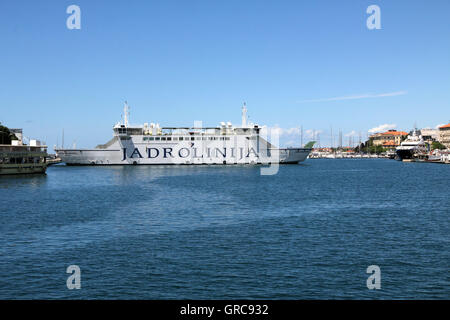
(151, 144)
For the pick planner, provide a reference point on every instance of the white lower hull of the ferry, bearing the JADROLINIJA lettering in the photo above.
(180, 154)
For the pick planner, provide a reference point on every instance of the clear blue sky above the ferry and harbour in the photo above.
(309, 63)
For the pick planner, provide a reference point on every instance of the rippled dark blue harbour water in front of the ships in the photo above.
(227, 232)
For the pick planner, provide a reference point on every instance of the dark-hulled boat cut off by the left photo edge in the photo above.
(19, 158)
